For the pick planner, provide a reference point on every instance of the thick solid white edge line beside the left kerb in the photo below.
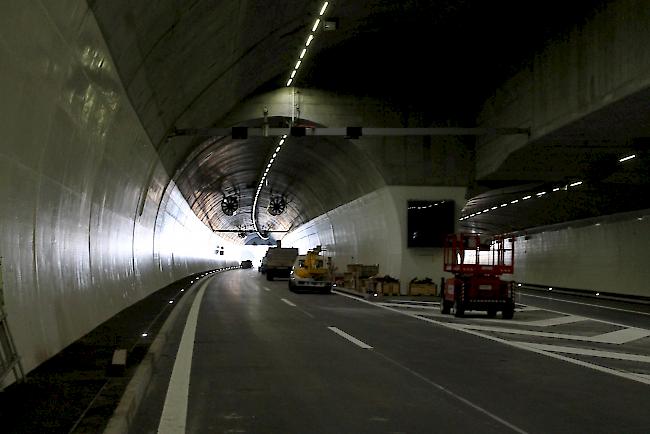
(174, 414)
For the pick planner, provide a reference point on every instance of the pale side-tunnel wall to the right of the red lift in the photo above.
(608, 257)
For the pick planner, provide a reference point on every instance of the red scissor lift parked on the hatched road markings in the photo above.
(477, 265)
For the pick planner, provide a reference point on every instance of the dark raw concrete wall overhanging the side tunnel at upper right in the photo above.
(596, 64)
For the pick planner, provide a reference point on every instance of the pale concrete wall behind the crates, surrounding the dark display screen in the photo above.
(372, 230)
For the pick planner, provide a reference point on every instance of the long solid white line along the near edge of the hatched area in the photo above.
(626, 375)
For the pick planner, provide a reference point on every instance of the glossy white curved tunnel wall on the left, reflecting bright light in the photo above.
(90, 223)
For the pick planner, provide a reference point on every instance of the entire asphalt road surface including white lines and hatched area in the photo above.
(254, 357)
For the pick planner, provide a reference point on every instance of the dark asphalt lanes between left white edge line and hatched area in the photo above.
(263, 365)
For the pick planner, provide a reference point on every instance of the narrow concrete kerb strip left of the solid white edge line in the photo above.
(137, 387)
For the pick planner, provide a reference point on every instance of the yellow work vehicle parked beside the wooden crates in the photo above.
(310, 273)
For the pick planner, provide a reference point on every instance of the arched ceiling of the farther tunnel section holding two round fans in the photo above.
(311, 174)
